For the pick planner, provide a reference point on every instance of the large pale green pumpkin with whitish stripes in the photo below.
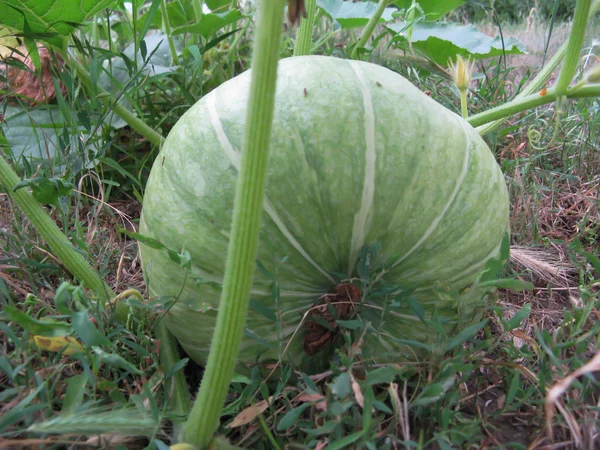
(358, 156)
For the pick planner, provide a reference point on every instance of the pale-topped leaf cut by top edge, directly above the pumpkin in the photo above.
(352, 15)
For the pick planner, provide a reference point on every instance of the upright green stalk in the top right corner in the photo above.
(580, 19)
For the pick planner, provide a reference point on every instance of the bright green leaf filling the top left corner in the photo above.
(57, 17)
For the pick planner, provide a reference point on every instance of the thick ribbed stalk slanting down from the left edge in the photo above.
(56, 239)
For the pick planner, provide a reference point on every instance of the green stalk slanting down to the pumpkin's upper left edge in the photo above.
(106, 98)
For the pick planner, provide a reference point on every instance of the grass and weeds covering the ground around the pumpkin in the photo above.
(490, 391)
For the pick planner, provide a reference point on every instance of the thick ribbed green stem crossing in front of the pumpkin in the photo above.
(247, 213)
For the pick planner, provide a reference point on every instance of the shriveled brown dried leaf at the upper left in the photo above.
(36, 88)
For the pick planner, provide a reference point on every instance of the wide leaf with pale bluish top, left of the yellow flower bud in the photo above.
(441, 41)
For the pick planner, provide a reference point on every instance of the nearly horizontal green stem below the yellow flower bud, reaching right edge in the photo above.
(529, 102)
